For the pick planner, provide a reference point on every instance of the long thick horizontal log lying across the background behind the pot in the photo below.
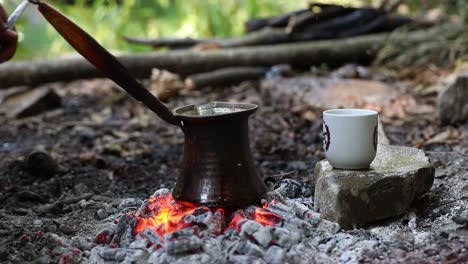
(184, 62)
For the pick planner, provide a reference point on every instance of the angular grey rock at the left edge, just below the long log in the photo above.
(31, 102)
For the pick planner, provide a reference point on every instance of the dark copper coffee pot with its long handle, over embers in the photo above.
(217, 167)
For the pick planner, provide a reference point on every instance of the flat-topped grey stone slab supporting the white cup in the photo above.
(396, 177)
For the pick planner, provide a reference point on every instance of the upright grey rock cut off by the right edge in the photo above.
(452, 103)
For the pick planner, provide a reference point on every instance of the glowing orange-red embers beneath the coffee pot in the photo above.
(164, 215)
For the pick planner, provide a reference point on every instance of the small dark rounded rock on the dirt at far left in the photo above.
(41, 164)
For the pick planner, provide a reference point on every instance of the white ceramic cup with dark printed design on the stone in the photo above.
(350, 137)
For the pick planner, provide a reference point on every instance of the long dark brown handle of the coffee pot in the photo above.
(89, 48)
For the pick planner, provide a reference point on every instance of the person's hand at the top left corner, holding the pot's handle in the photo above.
(8, 38)
